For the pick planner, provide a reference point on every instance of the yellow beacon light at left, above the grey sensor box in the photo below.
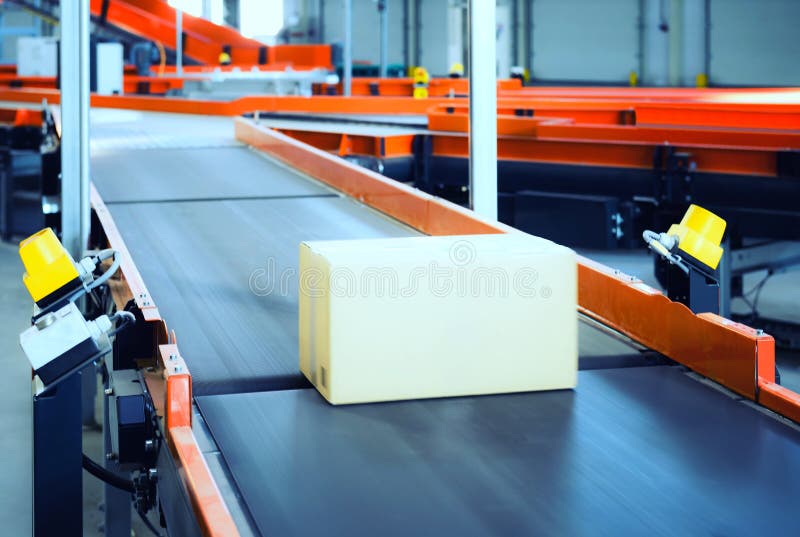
(50, 272)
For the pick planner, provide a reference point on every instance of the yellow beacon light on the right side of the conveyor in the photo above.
(700, 234)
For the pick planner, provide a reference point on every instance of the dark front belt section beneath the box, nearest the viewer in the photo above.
(640, 451)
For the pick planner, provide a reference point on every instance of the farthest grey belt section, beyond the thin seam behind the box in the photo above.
(197, 173)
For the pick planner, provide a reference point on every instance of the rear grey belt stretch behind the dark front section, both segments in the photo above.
(209, 264)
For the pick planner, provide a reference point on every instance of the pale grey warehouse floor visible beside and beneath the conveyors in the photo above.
(780, 298)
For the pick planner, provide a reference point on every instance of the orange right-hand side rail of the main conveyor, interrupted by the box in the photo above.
(730, 353)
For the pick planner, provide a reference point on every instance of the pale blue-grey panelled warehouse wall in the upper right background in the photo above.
(752, 42)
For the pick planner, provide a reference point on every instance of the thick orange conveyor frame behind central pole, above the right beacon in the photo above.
(621, 138)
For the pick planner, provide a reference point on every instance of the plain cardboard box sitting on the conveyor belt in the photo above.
(422, 317)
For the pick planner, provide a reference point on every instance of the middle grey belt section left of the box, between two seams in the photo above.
(224, 276)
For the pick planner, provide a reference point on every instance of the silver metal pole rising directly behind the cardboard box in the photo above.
(483, 107)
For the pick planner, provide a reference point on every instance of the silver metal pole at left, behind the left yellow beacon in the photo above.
(74, 78)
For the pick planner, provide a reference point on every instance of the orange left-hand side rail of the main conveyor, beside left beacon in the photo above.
(175, 385)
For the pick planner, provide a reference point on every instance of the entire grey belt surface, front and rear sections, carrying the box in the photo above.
(215, 231)
